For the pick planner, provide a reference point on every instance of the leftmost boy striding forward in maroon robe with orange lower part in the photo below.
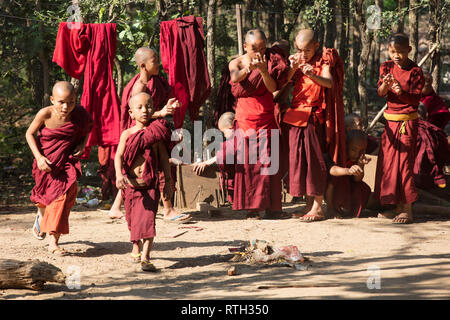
(63, 131)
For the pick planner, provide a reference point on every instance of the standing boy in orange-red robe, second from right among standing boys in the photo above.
(305, 124)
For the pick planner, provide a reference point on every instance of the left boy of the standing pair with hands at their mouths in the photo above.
(254, 77)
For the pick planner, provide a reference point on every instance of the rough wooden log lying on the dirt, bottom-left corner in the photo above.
(32, 274)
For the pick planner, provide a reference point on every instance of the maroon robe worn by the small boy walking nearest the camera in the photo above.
(141, 204)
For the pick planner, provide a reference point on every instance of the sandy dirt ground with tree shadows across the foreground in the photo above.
(413, 260)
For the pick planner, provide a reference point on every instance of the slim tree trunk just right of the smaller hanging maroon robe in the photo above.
(208, 113)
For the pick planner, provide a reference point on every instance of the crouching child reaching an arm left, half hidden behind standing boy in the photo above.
(227, 170)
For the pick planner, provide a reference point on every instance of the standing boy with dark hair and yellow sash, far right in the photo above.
(401, 82)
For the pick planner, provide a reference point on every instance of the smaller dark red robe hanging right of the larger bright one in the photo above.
(183, 58)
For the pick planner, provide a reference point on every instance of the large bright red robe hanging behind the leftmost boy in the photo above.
(91, 50)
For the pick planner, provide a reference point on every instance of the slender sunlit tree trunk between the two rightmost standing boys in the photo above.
(366, 39)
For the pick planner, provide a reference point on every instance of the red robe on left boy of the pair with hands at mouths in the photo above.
(255, 110)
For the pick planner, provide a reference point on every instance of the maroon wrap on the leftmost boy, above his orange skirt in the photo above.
(57, 145)
